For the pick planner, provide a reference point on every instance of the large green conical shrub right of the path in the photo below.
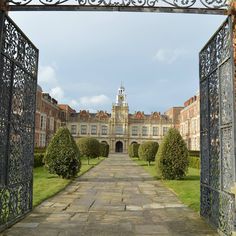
(172, 156)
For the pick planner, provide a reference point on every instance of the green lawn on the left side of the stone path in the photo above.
(47, 185)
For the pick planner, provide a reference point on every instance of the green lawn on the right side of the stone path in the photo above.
(188, 189)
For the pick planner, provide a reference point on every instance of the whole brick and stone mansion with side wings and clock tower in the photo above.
(118, 128)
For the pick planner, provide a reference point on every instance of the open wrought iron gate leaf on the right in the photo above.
(218, 129)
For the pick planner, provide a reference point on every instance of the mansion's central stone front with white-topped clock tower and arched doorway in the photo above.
(119, 128)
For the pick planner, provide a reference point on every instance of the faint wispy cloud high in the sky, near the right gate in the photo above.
(169, 56)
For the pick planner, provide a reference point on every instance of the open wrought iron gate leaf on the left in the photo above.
(18, 83)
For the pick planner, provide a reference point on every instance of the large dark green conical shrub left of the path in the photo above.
(62, 155)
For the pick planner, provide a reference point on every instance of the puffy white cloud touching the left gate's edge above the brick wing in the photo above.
(47, 75)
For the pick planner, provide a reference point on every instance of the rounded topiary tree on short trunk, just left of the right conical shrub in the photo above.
(147, 151)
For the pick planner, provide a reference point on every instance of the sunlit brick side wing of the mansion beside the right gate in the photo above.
(190, 123)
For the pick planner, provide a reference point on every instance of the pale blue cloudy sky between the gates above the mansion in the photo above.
(84, 56)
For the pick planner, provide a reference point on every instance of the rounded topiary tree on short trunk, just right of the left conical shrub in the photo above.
(89, 147)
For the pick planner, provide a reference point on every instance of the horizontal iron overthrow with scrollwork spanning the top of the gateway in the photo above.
(186, 6)
